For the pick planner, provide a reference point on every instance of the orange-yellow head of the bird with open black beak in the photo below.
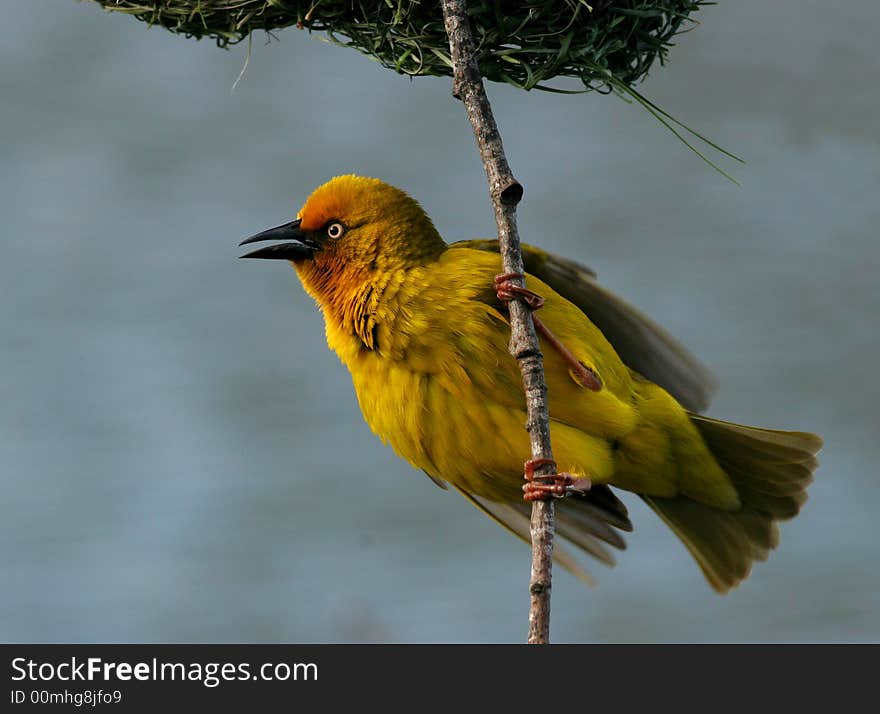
(349, 230)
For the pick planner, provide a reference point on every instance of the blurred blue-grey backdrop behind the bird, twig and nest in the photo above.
(182, 458)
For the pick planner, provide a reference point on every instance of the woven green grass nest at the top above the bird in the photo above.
(606, 44)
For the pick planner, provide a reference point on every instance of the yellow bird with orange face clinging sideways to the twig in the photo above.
(424, 334)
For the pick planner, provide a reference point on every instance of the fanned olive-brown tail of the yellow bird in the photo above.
(770, 471)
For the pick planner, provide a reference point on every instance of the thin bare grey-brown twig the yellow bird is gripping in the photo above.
(506, 193)
